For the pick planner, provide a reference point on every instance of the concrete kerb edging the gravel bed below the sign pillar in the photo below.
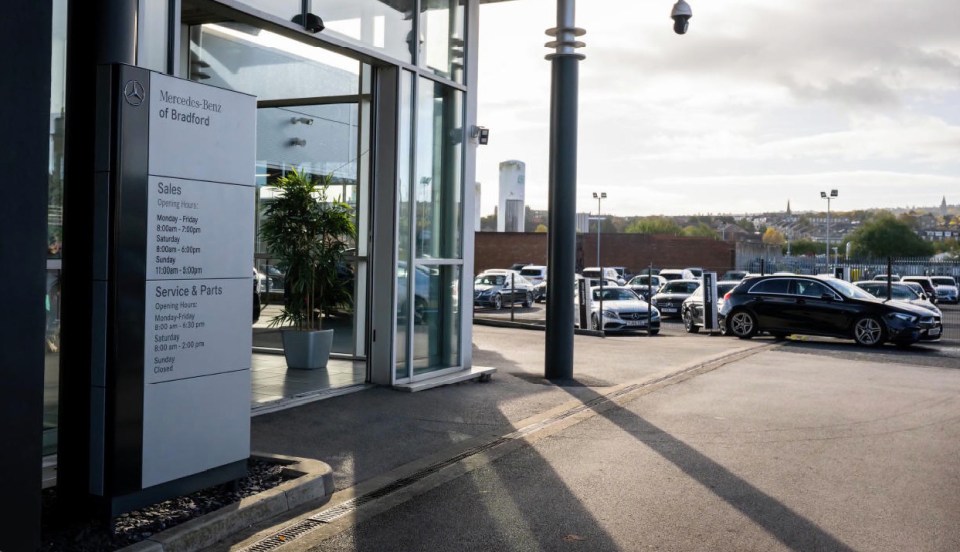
(312, 482)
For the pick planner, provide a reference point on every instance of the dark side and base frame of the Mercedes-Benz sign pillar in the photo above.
(118, 282)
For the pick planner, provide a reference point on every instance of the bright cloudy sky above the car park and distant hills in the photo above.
(761, 102)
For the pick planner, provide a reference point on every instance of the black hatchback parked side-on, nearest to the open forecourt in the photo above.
(814, 305)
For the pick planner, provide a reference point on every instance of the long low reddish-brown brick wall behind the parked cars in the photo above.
(634, 251)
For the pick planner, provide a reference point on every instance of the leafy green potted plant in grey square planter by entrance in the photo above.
(308, 234)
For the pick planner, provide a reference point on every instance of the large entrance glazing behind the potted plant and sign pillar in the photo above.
(313, 116)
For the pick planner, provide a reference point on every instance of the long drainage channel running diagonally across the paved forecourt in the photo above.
(331, 514)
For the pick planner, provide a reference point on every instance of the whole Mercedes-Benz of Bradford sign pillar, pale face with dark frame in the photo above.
(170, 390)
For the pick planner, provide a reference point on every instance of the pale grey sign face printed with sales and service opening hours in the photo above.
(199, 278)
